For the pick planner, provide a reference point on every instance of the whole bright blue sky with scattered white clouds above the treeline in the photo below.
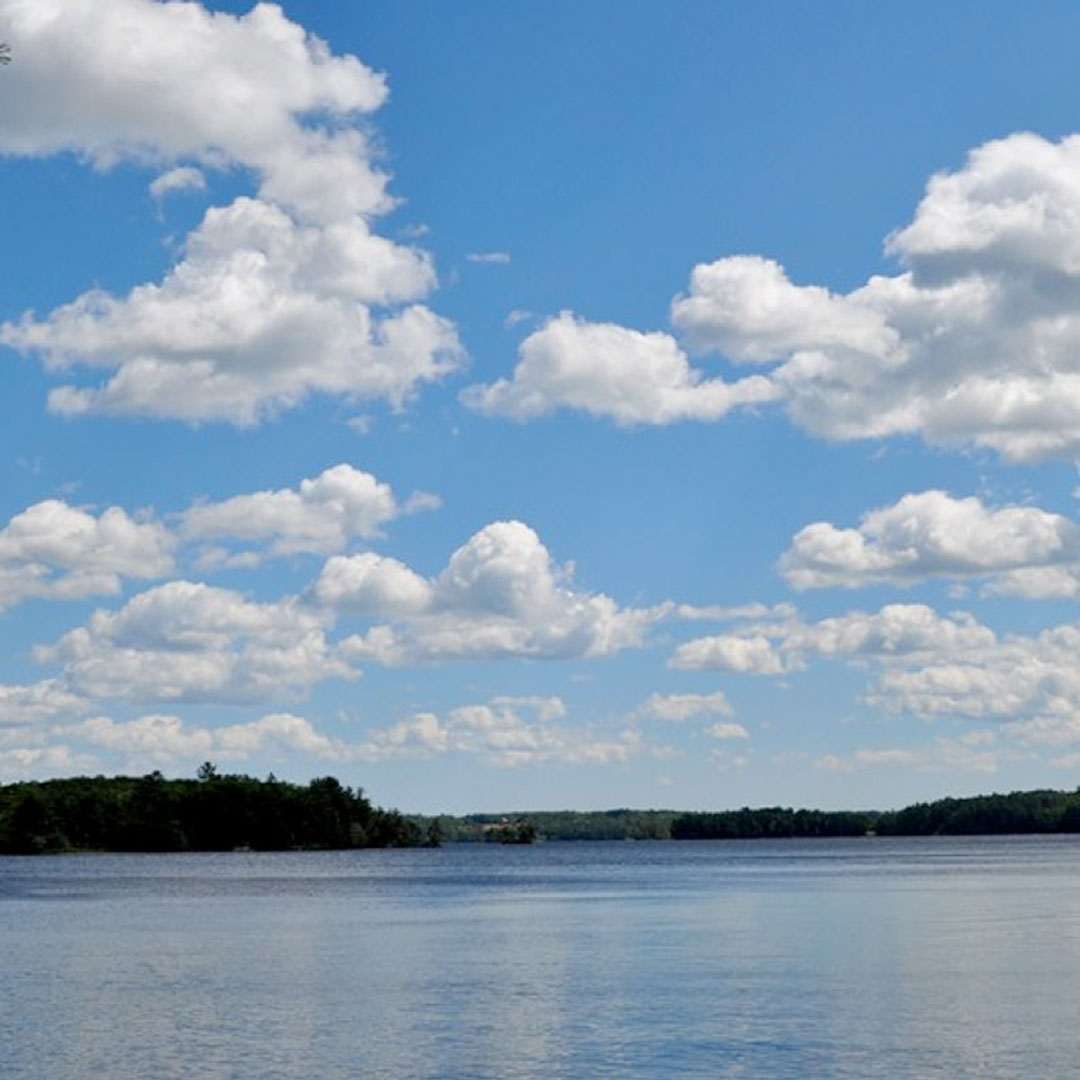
(505, 406)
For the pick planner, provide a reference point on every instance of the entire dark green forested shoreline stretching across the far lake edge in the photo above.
(228, 813)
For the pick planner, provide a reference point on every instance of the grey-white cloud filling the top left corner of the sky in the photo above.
(160, 83)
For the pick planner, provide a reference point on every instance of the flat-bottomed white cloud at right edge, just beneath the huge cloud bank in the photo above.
(934, 535)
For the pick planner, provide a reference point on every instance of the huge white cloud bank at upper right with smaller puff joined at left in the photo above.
(976, 343)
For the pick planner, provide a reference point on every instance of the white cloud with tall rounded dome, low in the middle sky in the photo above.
(501, 596)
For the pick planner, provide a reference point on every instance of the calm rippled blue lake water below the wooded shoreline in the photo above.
(866, 958)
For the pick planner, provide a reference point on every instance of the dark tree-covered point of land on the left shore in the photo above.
(213, 814)
